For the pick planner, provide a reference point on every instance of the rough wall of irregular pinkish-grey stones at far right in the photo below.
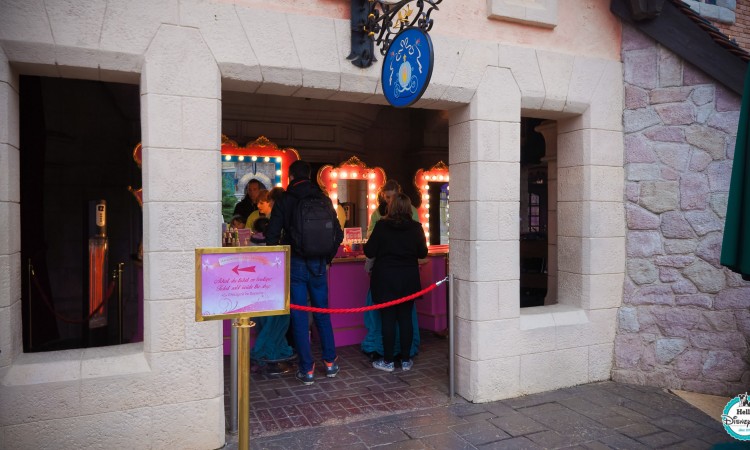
(685, 320)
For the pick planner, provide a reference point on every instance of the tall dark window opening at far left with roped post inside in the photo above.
(81, 260)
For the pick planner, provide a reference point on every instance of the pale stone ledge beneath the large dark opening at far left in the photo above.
(72, 365)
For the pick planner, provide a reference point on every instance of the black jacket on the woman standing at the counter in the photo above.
(397, 247)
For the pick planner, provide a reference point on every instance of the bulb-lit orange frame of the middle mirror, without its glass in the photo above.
(352, 169)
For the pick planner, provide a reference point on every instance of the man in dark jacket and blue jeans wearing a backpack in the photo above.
(308, 275)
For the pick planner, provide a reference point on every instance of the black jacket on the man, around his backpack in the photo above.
(278, 230)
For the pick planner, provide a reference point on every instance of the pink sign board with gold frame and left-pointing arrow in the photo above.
(234, 282)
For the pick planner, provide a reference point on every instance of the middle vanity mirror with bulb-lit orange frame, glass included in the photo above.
(354, 186)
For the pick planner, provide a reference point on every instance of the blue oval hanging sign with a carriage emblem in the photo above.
(407, 67)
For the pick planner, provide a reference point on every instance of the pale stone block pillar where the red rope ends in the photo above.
(485, 169)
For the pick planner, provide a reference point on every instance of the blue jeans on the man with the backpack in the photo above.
(308, 276)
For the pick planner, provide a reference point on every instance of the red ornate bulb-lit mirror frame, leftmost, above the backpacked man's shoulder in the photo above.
(264, 150)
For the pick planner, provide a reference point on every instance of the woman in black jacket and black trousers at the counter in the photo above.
(397, 243)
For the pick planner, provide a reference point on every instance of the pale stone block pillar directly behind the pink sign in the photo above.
(181, 131)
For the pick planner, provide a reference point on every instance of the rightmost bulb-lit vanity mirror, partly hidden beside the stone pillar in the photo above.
(433, 188)
